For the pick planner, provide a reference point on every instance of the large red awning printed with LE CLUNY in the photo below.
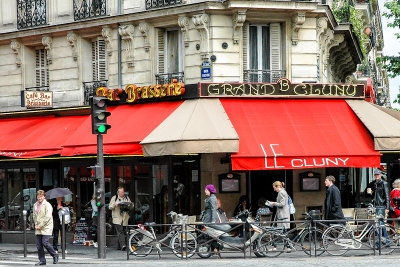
(298, 134)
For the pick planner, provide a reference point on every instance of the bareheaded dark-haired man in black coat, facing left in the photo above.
(333, 203)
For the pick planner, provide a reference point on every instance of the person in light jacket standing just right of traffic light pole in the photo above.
(120, 214)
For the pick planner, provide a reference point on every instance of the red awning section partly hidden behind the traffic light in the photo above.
(130, 124)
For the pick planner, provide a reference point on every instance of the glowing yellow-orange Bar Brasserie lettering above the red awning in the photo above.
(133, 93)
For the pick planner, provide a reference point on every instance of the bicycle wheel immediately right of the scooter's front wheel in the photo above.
(270, 244)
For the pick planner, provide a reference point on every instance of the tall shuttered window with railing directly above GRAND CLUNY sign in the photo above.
(263, 53)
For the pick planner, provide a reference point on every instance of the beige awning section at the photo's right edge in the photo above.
(381, 122)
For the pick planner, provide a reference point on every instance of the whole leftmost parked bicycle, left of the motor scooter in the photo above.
(142, 241)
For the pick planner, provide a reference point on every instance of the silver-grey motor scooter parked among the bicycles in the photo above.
(219, 236)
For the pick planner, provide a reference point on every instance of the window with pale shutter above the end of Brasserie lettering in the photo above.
(170, 56)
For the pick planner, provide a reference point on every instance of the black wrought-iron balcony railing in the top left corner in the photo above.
(31, 13)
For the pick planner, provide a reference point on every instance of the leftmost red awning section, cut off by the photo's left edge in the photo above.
(36, 137)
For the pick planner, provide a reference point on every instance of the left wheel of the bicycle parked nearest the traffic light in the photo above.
(140, 243)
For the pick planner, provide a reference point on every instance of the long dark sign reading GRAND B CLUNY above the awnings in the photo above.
(282, 88)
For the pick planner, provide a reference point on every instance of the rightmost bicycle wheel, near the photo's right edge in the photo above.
(388, 244)
